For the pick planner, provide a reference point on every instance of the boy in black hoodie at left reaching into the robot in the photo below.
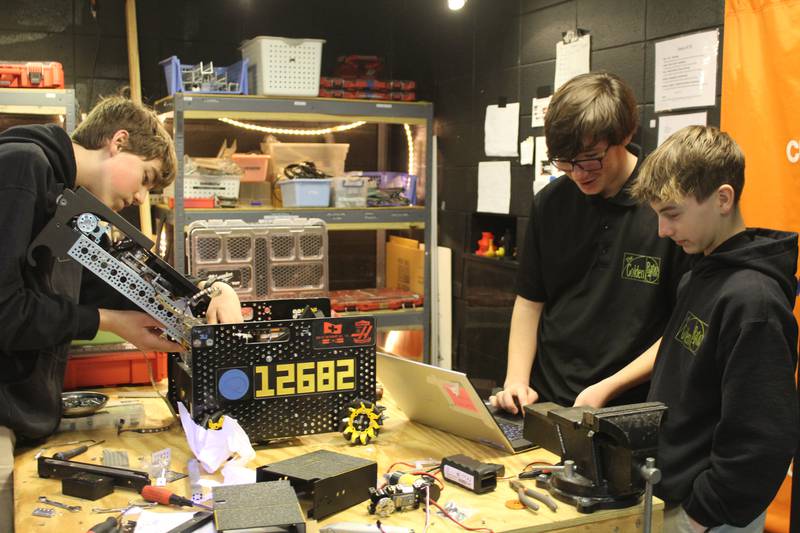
(119, 152)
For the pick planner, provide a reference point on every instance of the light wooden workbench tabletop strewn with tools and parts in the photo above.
(400, 440)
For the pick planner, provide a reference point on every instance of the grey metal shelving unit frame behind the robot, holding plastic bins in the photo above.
(182, 107)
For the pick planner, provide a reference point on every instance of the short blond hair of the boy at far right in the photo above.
(693, 161)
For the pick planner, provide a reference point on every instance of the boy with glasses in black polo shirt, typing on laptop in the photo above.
(596, 284)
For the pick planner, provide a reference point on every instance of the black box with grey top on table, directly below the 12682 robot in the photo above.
(330, 481)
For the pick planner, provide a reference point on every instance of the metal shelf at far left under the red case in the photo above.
(59, 102)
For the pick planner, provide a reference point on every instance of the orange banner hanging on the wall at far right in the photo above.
(761, 111)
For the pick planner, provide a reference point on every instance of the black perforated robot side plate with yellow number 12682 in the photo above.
(283, 378)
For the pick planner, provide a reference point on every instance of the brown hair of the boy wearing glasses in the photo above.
(589, 108)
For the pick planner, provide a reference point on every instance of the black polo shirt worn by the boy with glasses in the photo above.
(607, 282)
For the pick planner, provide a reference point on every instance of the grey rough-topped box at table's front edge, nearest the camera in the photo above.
(258, 507)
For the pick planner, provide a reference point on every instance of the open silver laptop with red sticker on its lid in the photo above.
(446, 400)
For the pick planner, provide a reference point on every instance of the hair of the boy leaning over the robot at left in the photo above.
(147, 136)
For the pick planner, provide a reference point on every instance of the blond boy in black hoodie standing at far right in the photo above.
(726, 364)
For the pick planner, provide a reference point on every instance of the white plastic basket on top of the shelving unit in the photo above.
(283, 67)
